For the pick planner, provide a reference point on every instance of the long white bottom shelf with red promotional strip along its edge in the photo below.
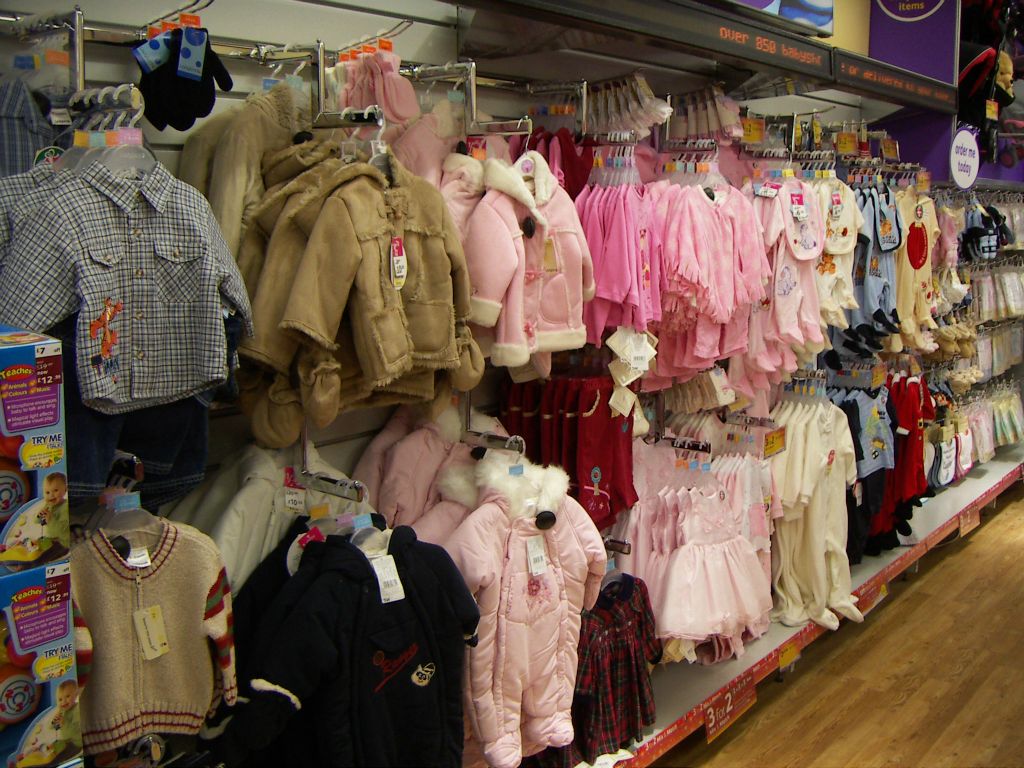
(682, 690)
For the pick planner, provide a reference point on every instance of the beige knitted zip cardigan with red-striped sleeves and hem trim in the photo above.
(124, 696)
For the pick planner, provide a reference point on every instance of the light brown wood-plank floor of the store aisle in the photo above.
(934, 677)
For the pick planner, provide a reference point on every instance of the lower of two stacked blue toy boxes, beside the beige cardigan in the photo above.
(39, 707)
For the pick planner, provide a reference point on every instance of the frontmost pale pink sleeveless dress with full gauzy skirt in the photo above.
(714, 583)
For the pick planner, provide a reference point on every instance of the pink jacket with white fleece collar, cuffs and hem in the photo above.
(529, 263)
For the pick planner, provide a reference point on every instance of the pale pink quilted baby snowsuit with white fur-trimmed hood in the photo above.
(523, 673)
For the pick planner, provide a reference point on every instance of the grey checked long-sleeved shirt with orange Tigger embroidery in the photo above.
(145, 266)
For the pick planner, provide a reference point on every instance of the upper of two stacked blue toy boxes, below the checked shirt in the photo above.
(35, 526)
